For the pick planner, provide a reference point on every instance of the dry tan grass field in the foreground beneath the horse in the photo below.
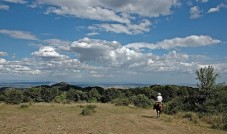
(108, 119)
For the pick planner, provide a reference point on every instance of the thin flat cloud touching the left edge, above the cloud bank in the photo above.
(18, 34)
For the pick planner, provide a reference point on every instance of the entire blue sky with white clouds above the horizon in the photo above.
(126, 41)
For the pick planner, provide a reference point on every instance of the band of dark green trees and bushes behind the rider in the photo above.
(208, 100)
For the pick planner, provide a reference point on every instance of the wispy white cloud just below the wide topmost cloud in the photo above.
(125, 28)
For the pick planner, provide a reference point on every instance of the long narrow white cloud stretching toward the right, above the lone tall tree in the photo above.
(189, 41)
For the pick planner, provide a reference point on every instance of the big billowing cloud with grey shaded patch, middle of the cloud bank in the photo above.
(107, 53)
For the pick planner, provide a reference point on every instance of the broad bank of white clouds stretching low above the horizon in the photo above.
(94, 58)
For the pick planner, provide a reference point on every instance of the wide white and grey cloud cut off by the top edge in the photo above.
(108, 10)
